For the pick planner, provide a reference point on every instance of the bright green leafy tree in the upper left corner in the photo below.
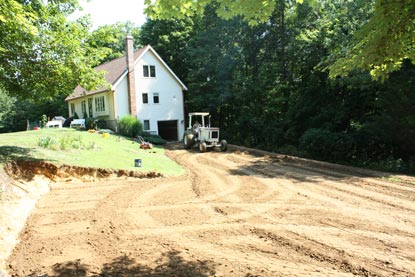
(42, 54)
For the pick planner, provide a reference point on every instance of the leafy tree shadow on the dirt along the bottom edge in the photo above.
(171, 264)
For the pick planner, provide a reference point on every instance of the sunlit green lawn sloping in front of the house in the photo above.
(85, 149)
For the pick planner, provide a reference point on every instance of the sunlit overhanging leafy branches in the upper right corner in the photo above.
(383, 43)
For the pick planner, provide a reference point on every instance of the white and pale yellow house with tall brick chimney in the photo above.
(142, 85)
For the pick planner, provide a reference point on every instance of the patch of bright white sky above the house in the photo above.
(105, 12)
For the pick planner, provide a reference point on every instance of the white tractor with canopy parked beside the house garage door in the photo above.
(199, 134)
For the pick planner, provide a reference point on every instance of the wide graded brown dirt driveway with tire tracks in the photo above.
(232, 214)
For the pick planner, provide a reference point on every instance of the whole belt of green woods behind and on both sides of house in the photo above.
(268, 84)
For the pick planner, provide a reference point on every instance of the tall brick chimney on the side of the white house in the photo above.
(132, 106)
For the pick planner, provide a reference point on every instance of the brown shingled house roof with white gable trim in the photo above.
(115, 69)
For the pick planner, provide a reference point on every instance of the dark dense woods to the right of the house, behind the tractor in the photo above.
(266, 86)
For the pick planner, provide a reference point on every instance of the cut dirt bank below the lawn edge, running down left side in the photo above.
(23, 183)
